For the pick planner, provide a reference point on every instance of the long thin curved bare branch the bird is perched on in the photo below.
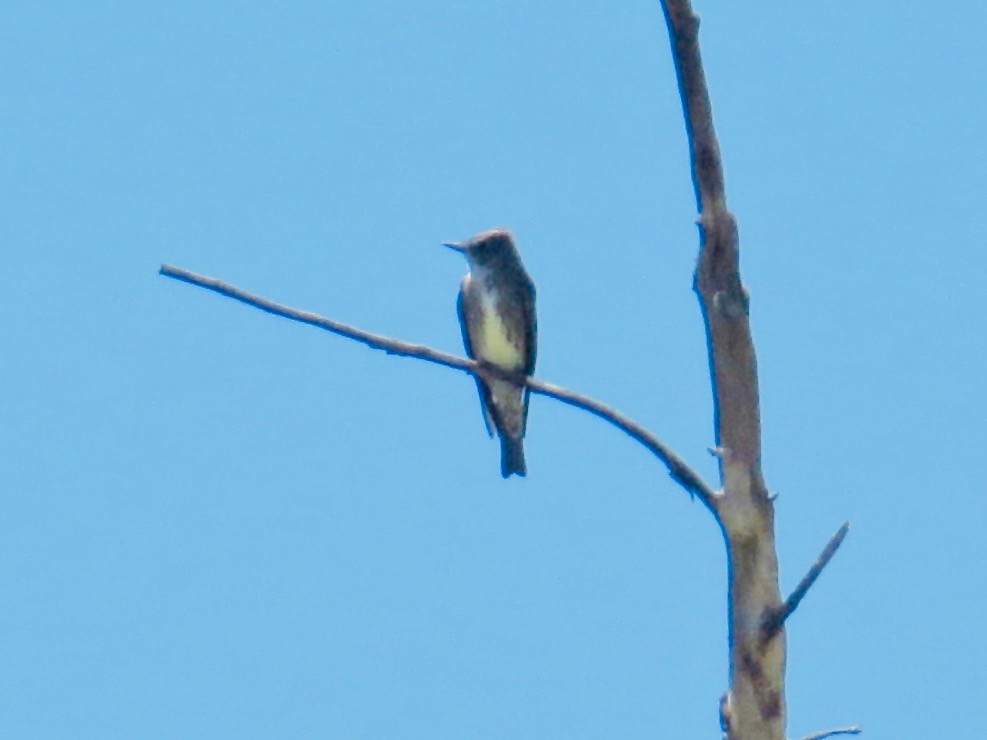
(677, 467)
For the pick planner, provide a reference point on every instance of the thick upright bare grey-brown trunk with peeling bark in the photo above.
(755, 705)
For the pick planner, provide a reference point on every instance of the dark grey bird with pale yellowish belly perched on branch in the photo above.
(497, 317)
